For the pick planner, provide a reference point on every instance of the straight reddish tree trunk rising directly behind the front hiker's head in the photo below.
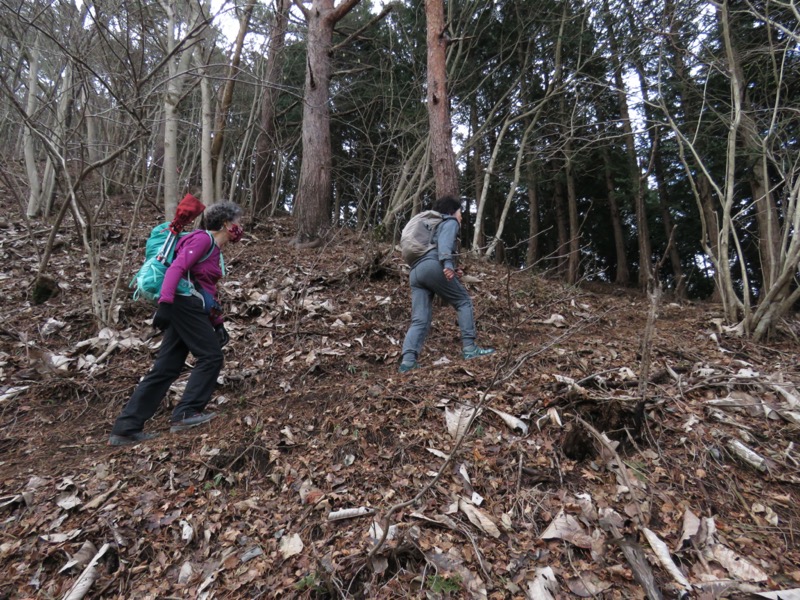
(444, 161)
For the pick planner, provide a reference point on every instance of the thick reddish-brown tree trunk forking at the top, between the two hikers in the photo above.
(313, 203)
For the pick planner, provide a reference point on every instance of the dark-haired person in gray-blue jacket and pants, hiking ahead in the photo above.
(437, 273)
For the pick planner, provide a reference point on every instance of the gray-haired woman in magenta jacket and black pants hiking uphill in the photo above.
(191, 323)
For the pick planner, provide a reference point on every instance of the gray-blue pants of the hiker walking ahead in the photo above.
(427, 279)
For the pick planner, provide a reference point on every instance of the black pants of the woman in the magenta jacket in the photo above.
(189, 331)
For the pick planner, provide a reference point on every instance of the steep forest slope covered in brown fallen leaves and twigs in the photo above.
(693, 484)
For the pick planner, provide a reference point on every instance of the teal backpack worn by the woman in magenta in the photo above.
(158, 256)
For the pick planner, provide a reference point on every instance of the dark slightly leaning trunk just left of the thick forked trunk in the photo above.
(266, 143)
